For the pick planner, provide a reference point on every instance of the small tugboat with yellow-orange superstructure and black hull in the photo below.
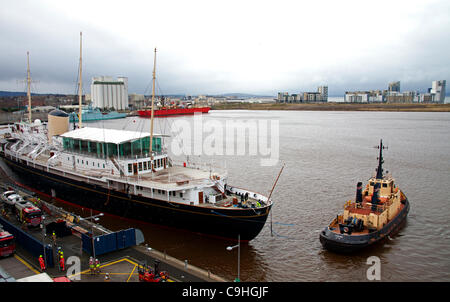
(378, 211)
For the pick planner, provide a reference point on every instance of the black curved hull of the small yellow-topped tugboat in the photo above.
(345, 244)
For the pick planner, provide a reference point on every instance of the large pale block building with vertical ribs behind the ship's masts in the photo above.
(109, 93)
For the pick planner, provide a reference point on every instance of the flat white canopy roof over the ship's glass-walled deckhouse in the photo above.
(101, 135)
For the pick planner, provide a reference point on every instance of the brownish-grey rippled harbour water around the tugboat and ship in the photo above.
(326, 154)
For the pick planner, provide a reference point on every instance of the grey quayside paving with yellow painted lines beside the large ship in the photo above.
(120, 265)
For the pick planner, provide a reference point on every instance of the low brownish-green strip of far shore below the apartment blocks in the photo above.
(335, 106)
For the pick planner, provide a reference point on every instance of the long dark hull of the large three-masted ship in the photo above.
(218, 222)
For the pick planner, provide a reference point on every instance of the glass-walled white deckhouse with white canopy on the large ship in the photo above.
(128, 151)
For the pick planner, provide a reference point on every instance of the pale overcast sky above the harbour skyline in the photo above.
(215, 47)
